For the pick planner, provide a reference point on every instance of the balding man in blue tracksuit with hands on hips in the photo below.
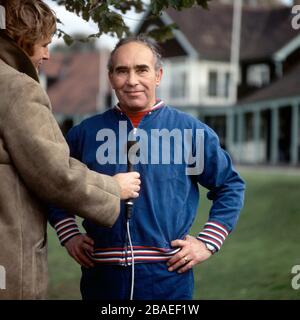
(151, 254)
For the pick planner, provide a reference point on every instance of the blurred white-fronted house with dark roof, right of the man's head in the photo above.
(259, 122)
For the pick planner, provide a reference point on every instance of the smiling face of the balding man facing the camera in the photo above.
(134, 77)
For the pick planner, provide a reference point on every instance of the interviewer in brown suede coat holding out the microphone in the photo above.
(35, 166)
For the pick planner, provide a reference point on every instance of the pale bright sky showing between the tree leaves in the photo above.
(74, 24)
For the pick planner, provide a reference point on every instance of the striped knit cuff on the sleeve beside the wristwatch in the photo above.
(214, 234)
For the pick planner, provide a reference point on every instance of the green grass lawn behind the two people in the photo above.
(255, 261)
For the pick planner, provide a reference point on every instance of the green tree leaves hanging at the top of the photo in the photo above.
(109, 14)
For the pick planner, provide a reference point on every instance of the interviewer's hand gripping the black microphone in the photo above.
(129, 183)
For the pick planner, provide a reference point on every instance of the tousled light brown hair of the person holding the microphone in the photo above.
(28, 22)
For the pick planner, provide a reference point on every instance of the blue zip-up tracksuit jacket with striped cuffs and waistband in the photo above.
(168, 200)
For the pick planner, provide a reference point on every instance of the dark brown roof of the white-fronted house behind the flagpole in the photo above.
(264, 30)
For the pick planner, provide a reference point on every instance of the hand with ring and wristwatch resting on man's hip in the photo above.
(193, 251)
